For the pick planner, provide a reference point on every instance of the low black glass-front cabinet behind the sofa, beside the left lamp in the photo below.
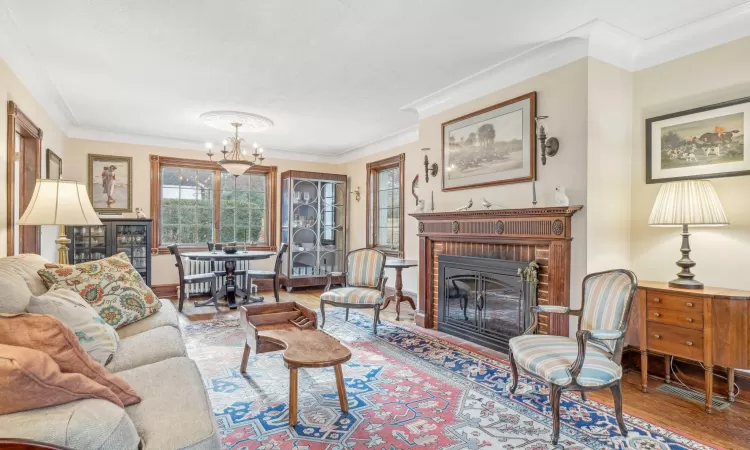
(131, 236)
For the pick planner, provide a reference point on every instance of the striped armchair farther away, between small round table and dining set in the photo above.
(364, 286)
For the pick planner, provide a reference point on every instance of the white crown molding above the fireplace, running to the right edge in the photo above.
(597, 39)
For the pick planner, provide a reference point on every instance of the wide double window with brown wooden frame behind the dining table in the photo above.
(195, 202)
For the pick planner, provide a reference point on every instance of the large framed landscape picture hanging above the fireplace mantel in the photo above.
(495, 145)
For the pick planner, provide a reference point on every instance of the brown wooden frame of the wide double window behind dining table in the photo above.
(160, 162)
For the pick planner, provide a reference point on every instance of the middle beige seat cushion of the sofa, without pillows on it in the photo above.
(148, 347)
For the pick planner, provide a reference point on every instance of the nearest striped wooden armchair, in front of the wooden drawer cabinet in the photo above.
(591, 360)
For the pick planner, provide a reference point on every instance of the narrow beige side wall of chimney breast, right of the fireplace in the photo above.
(610, 113)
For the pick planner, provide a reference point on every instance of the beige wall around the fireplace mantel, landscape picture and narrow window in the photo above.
(561, 94)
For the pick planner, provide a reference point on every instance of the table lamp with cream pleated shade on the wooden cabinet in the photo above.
(683, 203)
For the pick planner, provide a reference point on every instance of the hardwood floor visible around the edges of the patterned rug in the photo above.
(729, 429)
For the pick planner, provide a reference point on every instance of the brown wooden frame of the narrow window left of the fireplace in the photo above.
(373, 170)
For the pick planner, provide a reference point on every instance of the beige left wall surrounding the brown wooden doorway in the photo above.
(11, 88)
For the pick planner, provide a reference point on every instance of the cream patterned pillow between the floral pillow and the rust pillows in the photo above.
(97, 337)
